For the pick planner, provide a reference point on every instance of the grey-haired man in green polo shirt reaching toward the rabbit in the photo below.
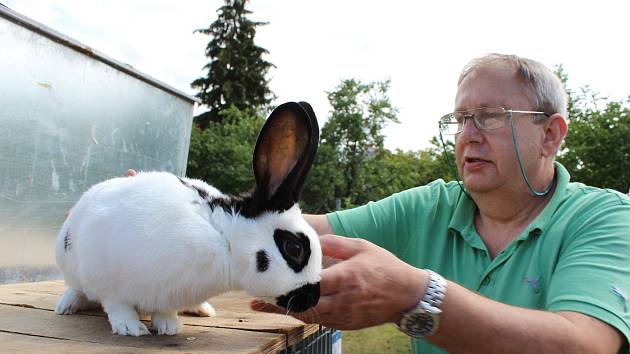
(534, 263)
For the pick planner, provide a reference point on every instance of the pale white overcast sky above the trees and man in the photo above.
(420, 46)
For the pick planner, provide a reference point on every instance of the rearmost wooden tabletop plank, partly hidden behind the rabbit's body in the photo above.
(232, 310)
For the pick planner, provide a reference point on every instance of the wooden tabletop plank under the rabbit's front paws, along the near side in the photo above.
(86, 330)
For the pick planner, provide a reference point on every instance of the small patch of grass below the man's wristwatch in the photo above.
(386, 339)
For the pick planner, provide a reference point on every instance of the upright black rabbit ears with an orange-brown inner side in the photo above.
(283, 156)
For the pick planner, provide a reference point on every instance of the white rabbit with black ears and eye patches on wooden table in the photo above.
(158, 244)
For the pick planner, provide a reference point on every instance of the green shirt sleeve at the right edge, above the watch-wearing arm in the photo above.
(592, 275)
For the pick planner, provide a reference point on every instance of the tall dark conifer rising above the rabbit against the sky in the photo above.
(236, 71)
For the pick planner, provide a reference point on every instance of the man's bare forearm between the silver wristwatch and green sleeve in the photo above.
(471, 323)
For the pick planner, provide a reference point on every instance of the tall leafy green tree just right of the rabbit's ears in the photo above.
(351, 137)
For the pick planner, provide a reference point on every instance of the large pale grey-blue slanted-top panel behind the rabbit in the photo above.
(68, 121)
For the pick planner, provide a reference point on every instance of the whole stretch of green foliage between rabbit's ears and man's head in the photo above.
(352, 166)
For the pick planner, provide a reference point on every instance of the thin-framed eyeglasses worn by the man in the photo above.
(485, 118)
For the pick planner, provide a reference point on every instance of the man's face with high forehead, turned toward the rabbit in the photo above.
(486, 160)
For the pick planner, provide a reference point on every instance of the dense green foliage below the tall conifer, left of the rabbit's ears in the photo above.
(222, 153)
